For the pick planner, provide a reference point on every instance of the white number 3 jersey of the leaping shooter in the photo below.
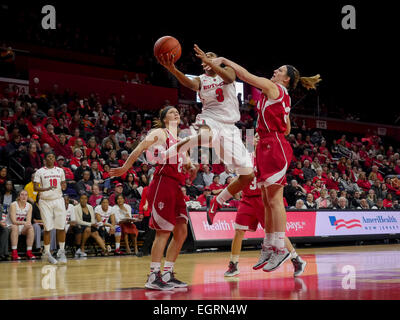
(219, 99)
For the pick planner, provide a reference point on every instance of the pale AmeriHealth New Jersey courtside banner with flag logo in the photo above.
(343, 223)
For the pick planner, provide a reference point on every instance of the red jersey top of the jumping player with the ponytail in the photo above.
(272, 114)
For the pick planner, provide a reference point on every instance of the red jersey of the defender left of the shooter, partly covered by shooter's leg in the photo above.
(174, 166)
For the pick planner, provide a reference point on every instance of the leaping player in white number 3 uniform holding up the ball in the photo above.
(216, 123)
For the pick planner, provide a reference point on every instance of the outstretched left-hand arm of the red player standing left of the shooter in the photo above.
(155, 137)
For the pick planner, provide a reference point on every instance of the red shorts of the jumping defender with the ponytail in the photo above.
(273, 156)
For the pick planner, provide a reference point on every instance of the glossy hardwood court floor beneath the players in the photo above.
(356, 272)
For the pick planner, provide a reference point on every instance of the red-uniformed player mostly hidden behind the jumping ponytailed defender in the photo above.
(250, 212)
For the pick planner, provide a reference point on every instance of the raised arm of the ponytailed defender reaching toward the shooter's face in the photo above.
(269, 88)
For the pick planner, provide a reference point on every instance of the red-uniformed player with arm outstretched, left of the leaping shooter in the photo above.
(165, 198)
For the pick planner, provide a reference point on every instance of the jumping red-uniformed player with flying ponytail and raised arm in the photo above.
(273, 151)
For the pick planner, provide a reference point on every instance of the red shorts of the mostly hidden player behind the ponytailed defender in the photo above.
(250, 213)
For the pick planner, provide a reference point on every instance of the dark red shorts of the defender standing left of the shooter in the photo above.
(166, 202)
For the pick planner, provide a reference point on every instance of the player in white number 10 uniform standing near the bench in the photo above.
(52, 205)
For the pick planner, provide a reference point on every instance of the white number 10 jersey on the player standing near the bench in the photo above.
(50, 177)
